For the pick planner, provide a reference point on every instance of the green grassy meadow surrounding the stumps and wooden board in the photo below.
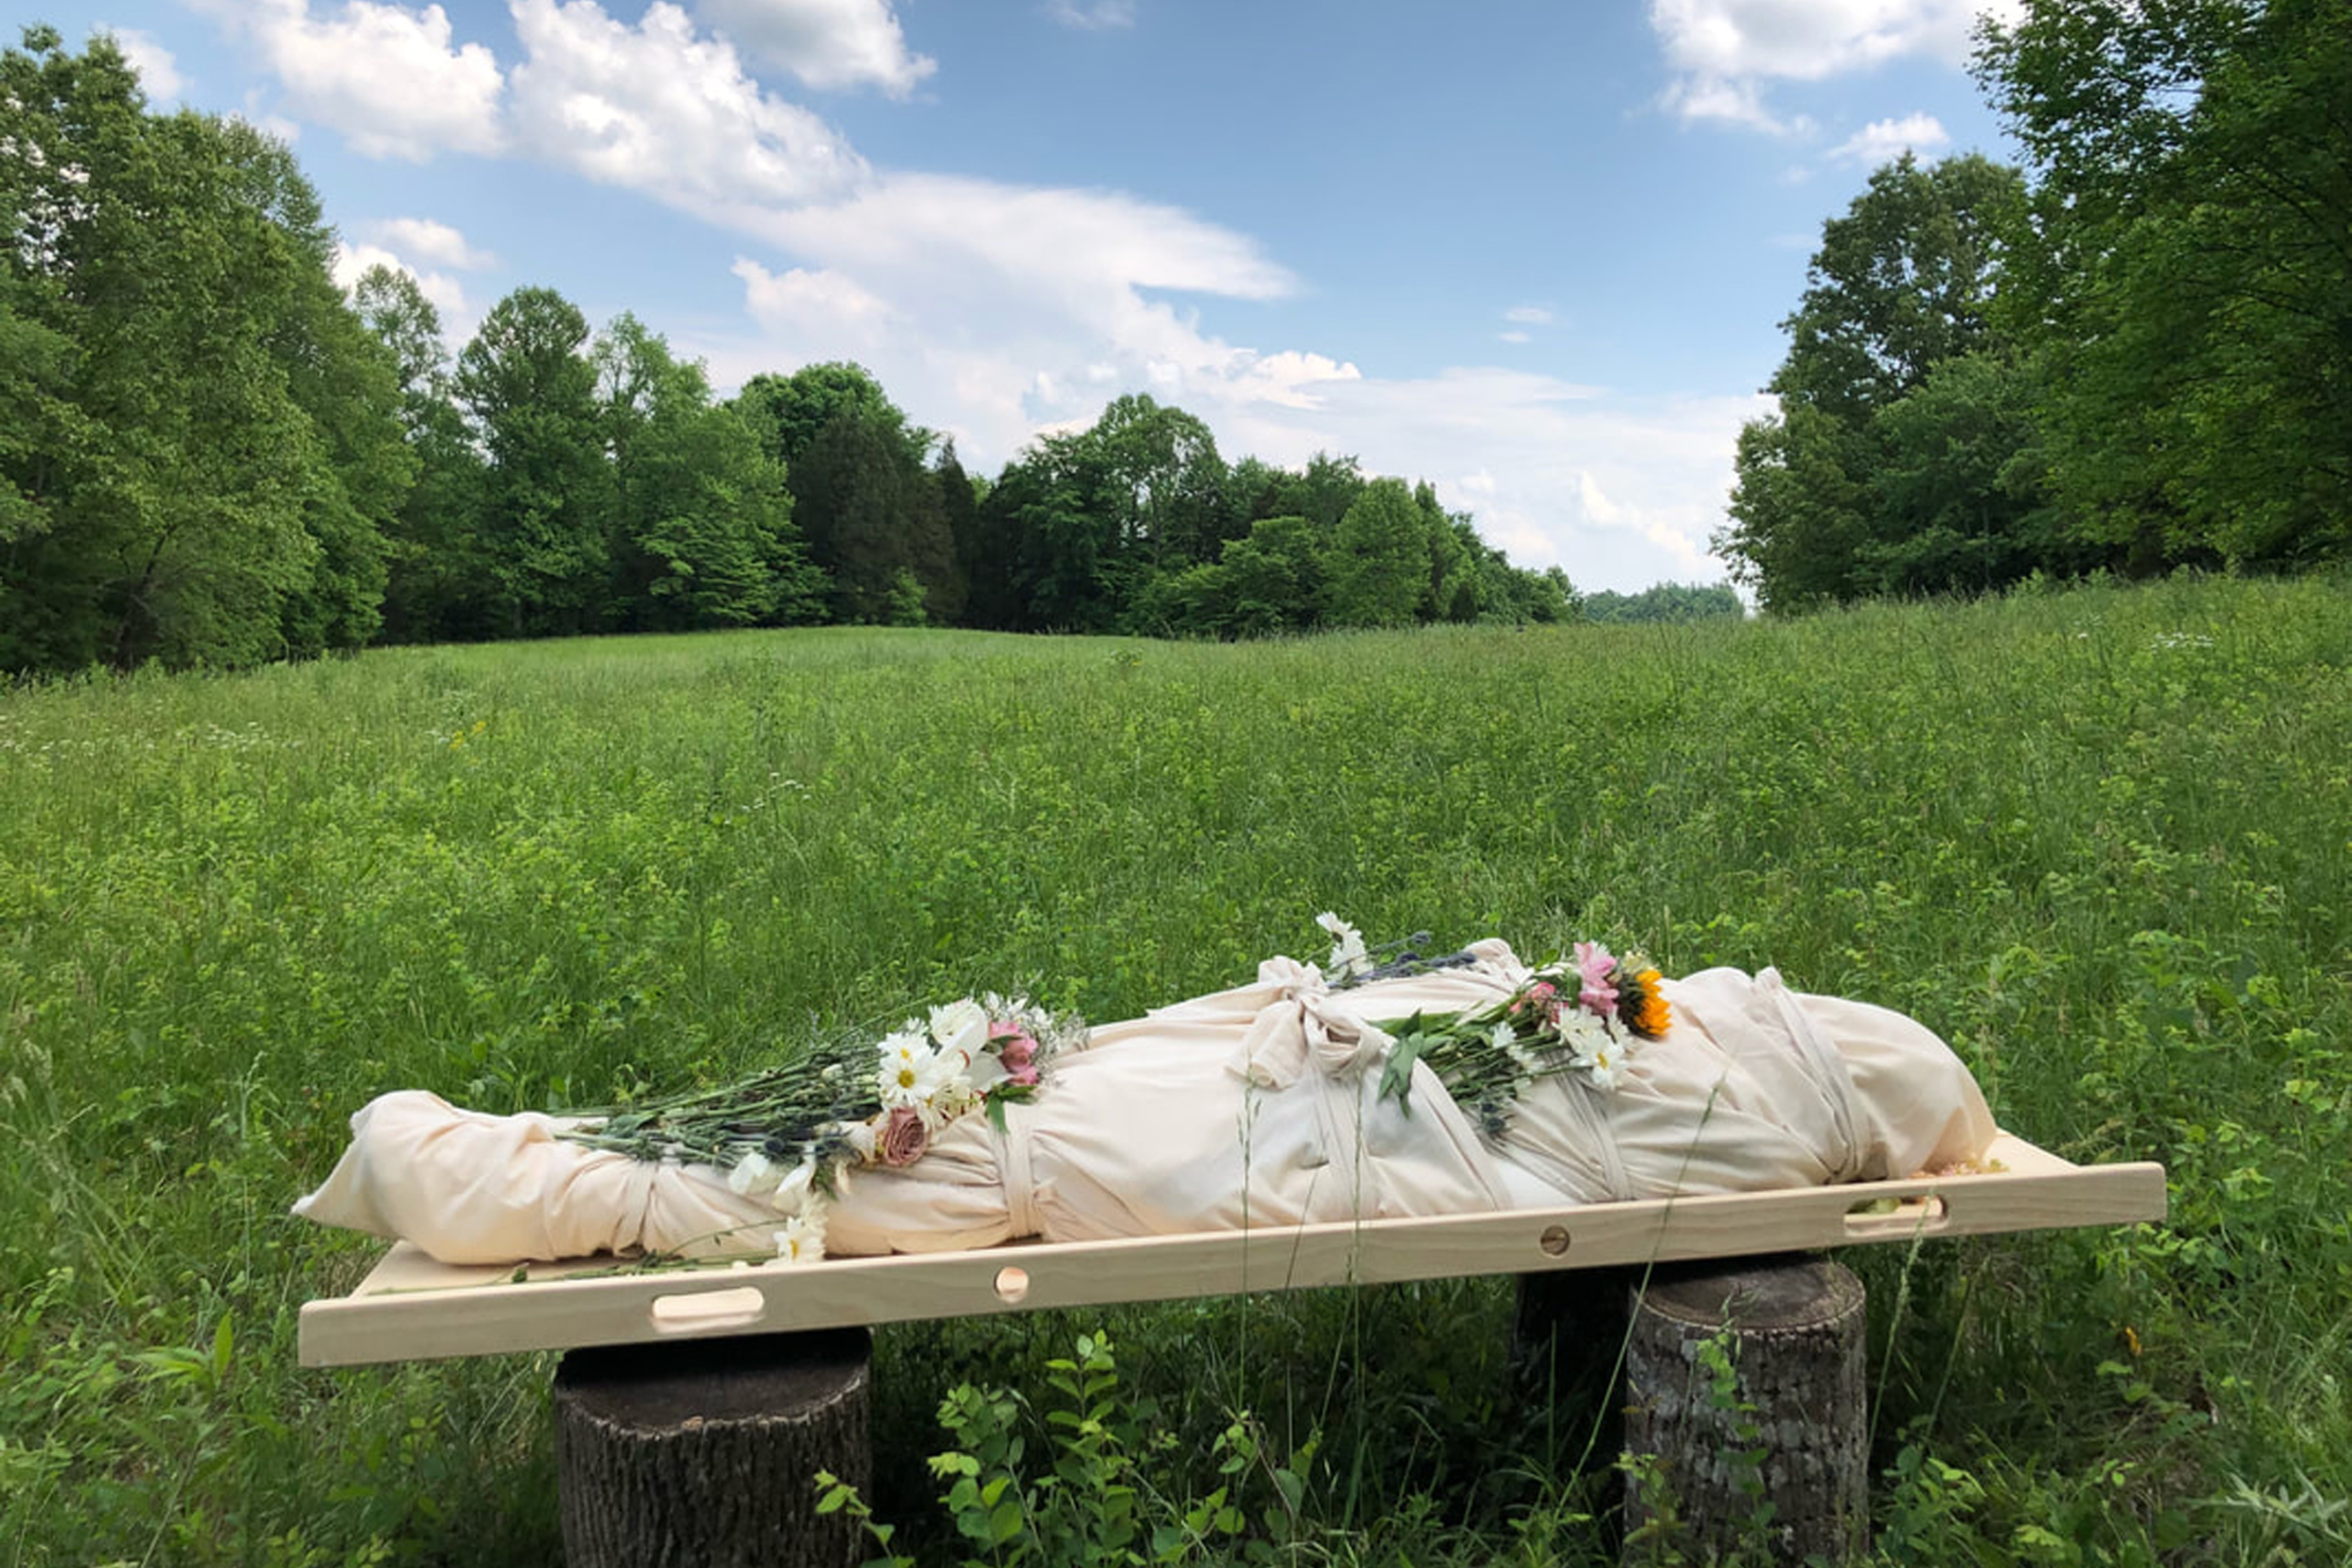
(2099, 840)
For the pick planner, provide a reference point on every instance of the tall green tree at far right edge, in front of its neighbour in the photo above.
(2186, 272)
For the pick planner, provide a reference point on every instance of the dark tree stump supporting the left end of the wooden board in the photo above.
(704, 1454)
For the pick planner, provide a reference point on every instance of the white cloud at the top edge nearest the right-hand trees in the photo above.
(1723, 53)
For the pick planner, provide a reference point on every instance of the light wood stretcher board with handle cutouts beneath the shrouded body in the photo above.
(413, 1308)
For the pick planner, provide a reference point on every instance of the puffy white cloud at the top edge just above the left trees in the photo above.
(387, 76)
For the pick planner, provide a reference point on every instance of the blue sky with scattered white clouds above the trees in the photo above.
(1530, 253)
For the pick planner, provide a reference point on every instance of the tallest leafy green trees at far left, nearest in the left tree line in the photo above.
(201, 443)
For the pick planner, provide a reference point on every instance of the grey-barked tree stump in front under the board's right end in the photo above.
(1746, 1386)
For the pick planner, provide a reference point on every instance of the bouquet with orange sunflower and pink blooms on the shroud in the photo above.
(1575, 1019)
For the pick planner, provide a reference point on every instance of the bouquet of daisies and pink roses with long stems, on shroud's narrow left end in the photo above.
(794, 1134)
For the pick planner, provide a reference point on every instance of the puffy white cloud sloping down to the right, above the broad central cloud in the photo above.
(664, 112)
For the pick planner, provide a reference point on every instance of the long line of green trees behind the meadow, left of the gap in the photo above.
(213, 455)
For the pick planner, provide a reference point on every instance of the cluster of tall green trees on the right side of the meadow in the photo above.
(2130, 356)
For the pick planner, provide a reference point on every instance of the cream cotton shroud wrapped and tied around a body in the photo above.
(1255, 1106)
